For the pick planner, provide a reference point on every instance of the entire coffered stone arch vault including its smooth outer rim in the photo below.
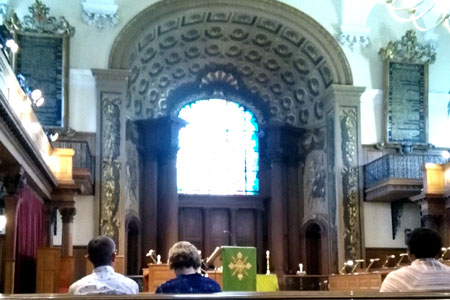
(269, 57)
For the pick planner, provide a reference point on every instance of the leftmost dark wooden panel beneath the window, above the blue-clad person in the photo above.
(191, 224)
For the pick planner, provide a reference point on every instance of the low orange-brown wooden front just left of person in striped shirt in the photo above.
(355, 282)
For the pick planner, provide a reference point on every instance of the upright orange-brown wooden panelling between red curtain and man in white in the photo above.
(47, 270)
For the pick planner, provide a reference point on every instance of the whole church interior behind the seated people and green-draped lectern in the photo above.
(315, 133)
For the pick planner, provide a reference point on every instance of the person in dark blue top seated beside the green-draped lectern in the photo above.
(185, 261)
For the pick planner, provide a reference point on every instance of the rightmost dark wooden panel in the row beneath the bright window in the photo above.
(246, 228)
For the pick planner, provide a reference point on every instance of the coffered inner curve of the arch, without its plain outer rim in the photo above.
(281, 71)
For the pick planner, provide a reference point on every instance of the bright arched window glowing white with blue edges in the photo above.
(218, 152)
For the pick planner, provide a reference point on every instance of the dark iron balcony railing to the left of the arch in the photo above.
(83, 157)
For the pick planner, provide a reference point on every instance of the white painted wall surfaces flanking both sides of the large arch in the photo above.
(90, 48)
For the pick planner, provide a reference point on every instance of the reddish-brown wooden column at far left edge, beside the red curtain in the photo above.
(14, 181)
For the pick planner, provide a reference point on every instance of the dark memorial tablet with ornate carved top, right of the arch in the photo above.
(405, 102)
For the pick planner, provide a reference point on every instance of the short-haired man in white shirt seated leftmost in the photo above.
(103, 280)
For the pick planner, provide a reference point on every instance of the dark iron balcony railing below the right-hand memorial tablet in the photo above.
(398, 166)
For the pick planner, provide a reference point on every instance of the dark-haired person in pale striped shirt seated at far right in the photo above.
(425, 273)
